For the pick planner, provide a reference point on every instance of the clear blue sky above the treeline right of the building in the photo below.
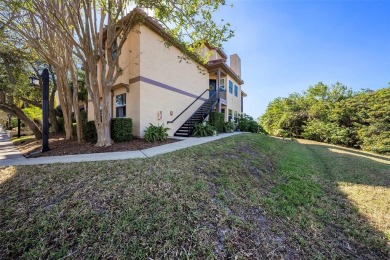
(286, 46)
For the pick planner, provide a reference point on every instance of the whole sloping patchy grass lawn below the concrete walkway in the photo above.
(247, 196)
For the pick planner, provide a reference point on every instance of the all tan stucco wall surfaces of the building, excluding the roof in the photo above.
(145, 56)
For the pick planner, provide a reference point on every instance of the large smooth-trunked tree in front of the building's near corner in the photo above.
(93, 28)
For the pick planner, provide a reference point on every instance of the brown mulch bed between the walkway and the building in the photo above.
(59, 146)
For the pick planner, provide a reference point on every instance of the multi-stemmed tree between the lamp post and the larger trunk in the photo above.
(51, 48)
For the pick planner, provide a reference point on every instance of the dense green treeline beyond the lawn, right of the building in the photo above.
(333, 114)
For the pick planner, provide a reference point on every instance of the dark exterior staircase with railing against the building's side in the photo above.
(200, 114)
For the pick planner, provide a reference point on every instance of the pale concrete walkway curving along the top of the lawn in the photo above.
(10, 155)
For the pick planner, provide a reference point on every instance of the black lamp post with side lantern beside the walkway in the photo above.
(45, 107)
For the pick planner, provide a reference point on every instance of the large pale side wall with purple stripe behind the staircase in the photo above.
(162, 64)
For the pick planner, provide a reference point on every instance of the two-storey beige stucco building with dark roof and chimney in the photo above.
(158, 87)
